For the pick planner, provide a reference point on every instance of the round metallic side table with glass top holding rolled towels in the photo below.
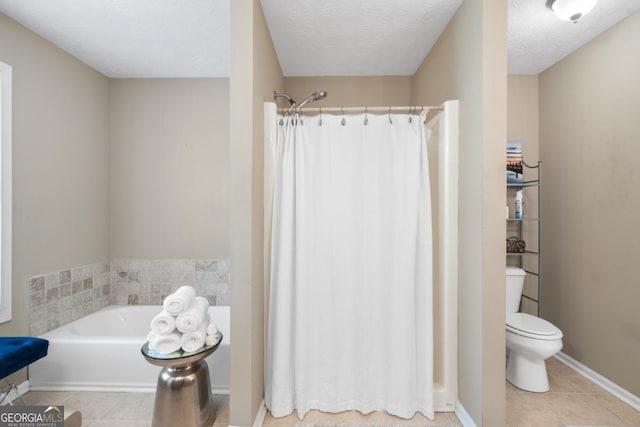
(183, 393)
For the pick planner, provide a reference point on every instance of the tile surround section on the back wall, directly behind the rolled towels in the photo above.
(136, 281)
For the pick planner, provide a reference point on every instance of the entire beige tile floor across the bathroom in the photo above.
(572, 400)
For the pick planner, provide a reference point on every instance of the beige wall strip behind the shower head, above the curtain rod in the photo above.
(350, 91)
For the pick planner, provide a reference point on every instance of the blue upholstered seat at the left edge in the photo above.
(19, 352)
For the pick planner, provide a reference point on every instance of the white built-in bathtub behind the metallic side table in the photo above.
(101, 352)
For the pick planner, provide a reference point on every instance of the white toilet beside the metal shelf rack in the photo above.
(530, 340)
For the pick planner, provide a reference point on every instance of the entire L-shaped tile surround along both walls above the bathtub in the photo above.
(63, 296)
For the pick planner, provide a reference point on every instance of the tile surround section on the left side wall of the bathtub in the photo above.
(60, 297)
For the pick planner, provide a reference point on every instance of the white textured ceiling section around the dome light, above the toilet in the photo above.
(537, 39)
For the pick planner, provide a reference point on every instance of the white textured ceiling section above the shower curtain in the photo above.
(355, 38)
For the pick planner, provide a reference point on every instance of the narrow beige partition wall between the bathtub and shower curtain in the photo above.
(255, 74)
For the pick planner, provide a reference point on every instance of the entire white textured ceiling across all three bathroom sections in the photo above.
(190, 38)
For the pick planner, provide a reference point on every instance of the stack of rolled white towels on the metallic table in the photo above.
(183, 323)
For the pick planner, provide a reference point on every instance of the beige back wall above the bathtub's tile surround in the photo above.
(169, 168)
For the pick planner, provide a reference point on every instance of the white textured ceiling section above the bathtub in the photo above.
(134, 38)
